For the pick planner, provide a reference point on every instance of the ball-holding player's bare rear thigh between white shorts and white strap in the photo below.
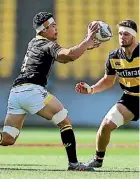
(14, 120)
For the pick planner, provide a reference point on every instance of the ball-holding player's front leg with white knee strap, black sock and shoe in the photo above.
(55, 112)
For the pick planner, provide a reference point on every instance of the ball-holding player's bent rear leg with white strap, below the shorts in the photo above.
(12, 125)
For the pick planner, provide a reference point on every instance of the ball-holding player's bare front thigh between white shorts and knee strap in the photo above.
(51, 108)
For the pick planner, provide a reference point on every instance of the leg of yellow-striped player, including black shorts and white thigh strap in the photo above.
(123, 112)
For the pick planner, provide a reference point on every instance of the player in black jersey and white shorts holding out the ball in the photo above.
(28, 93)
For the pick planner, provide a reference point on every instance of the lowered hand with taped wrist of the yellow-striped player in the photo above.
(83, 88)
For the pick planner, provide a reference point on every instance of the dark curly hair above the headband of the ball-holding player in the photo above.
(40, 18)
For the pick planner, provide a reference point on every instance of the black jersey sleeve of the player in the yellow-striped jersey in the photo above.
(108, 68)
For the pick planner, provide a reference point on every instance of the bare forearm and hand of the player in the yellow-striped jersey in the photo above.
(104, 83)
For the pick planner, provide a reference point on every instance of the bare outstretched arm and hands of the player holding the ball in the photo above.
(73, 53)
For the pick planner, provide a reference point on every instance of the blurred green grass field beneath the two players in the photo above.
(38, 153)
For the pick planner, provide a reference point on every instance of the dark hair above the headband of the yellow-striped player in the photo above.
(128, 23)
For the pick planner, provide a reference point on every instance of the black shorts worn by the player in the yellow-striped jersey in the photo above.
(132, 104)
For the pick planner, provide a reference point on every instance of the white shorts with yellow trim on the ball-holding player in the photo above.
(27, 98)
